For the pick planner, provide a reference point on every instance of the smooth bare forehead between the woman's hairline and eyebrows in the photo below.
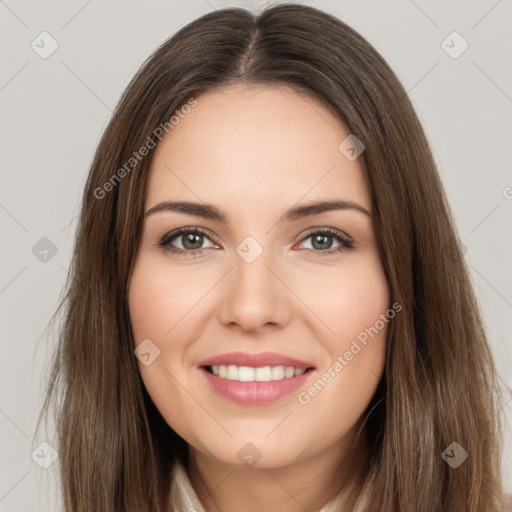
(254, 147)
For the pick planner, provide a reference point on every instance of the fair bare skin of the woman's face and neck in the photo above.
(254, 152)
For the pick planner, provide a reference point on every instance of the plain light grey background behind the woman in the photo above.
(54, 111)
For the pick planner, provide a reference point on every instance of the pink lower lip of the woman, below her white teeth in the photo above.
(255, 393)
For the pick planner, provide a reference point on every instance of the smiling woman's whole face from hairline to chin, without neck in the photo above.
(262, 288)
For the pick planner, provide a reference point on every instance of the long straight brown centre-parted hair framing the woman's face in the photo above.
(439, 386)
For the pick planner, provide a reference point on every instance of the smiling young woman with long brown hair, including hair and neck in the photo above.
(267, 307)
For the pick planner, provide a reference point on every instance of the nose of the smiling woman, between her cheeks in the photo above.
(255, 294)
